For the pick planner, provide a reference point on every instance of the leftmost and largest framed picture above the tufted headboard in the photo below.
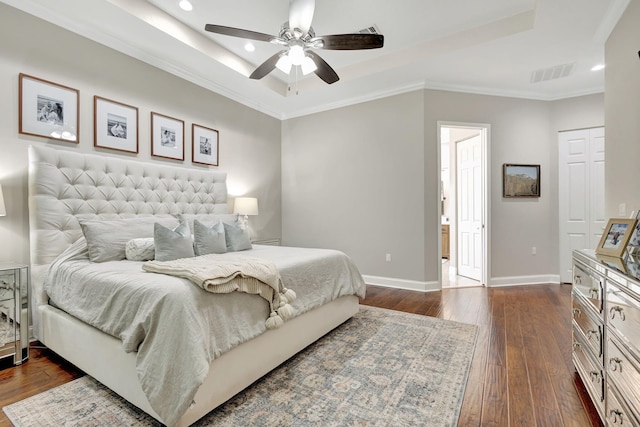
(48, 109)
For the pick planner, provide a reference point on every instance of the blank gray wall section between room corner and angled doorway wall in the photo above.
(353, 179)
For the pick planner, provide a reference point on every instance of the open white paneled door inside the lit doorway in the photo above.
(469, 181)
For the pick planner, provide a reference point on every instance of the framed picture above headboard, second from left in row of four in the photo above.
(115, 125)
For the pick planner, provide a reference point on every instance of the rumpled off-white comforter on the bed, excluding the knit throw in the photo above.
(176, 327)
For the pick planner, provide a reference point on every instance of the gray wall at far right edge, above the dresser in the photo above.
(622, 113)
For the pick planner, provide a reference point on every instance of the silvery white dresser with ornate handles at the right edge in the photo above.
(606, 334)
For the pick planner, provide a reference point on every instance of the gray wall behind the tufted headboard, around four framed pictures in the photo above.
(249, 140)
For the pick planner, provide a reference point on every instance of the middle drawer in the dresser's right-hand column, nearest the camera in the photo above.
(624, 371)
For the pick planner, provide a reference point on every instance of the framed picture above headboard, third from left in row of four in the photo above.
(167, 137)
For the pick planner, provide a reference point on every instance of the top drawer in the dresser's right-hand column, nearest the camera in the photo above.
(623, 315)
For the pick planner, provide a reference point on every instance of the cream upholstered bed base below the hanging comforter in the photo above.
(101, 355)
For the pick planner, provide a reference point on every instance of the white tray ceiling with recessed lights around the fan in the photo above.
(489, 46)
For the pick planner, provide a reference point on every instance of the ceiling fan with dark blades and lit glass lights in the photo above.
(300, 39)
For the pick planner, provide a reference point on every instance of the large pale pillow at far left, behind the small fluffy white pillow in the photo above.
(106, 239)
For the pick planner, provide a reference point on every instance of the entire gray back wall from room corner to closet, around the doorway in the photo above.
(364, 179)
